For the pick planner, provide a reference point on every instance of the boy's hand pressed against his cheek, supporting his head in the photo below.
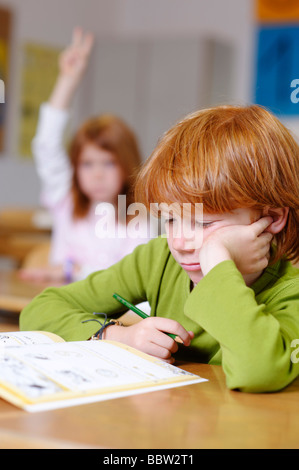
(247, 245)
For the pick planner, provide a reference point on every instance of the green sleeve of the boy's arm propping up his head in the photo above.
(255, 337)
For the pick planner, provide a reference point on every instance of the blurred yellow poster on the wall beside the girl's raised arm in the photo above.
(39, 72)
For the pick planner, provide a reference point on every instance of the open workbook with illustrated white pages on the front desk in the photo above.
(40, 371)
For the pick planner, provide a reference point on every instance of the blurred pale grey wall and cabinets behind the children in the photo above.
(153, 62)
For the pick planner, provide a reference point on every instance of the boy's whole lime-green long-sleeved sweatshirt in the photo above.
(249, 330)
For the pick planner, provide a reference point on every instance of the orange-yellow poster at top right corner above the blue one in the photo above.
(278, 11)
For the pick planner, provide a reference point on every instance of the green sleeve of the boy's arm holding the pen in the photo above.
(61, 310)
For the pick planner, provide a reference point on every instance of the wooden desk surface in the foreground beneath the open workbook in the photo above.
(205, 415)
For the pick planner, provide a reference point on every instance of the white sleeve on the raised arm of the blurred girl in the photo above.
(50, 157)
